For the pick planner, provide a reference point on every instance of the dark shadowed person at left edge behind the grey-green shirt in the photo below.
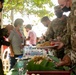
(3, 35)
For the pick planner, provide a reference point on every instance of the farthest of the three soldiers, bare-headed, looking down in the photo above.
(47, 23)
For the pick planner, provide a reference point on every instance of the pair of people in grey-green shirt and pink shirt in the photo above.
(18, 40)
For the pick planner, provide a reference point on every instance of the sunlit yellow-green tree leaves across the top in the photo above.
(36, 7)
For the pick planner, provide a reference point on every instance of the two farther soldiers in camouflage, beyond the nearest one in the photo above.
(57, 30)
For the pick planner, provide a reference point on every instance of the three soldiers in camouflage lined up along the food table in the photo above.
(63, 30)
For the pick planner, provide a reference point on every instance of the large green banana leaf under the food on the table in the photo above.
(45, 65)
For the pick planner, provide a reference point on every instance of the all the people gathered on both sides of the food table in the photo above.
(62, 29)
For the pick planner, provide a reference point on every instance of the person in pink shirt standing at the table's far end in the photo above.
(31, 36)
